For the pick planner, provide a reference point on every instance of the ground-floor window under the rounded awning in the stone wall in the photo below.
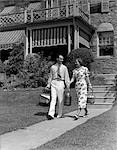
(106, 44)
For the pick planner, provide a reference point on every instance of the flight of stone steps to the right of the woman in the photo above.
(104, 94)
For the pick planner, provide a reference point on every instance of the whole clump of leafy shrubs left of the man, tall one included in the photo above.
(32, 72)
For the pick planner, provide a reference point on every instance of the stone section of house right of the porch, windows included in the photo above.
(103, 16)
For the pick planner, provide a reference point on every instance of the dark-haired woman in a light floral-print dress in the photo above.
(82, 84)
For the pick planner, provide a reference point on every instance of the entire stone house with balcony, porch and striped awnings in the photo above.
(57, 26)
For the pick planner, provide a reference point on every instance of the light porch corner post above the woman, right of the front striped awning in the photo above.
(76, 35)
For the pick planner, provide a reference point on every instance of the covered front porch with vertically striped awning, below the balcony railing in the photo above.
(66, 34)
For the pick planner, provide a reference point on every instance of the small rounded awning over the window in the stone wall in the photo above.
(105, 27)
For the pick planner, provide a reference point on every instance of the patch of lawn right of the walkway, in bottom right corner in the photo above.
(98, 133)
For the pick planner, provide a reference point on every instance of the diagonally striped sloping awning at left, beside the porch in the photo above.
(9, 38)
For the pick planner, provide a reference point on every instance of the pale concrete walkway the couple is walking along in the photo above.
(40, 133)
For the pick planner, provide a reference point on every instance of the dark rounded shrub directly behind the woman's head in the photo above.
(84, 53)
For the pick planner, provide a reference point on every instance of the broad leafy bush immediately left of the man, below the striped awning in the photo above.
(35, 71)
